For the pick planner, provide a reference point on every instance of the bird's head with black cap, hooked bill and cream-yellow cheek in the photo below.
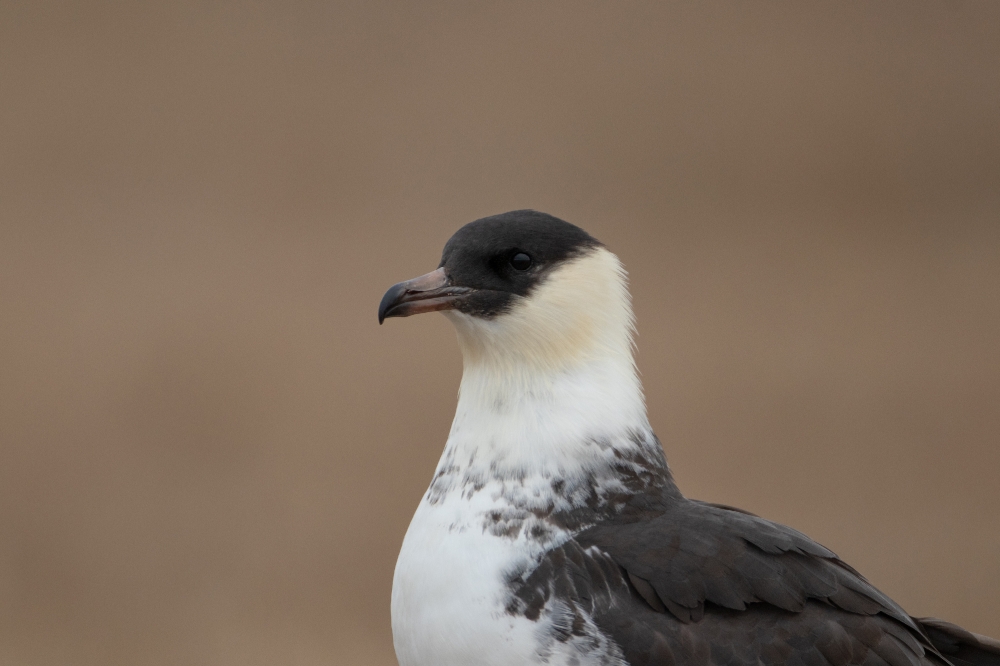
(528, 293)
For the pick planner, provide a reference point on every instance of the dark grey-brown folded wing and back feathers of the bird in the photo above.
(677, 581)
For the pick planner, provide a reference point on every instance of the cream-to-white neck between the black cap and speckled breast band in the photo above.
(551, 383)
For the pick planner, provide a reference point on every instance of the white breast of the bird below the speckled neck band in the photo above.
(450, 591)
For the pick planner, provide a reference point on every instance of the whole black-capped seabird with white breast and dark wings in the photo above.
(553, 532)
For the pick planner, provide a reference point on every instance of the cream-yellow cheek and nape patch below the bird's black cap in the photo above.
(581, 311)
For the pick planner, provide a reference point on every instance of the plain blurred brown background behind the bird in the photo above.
(209, 451)
